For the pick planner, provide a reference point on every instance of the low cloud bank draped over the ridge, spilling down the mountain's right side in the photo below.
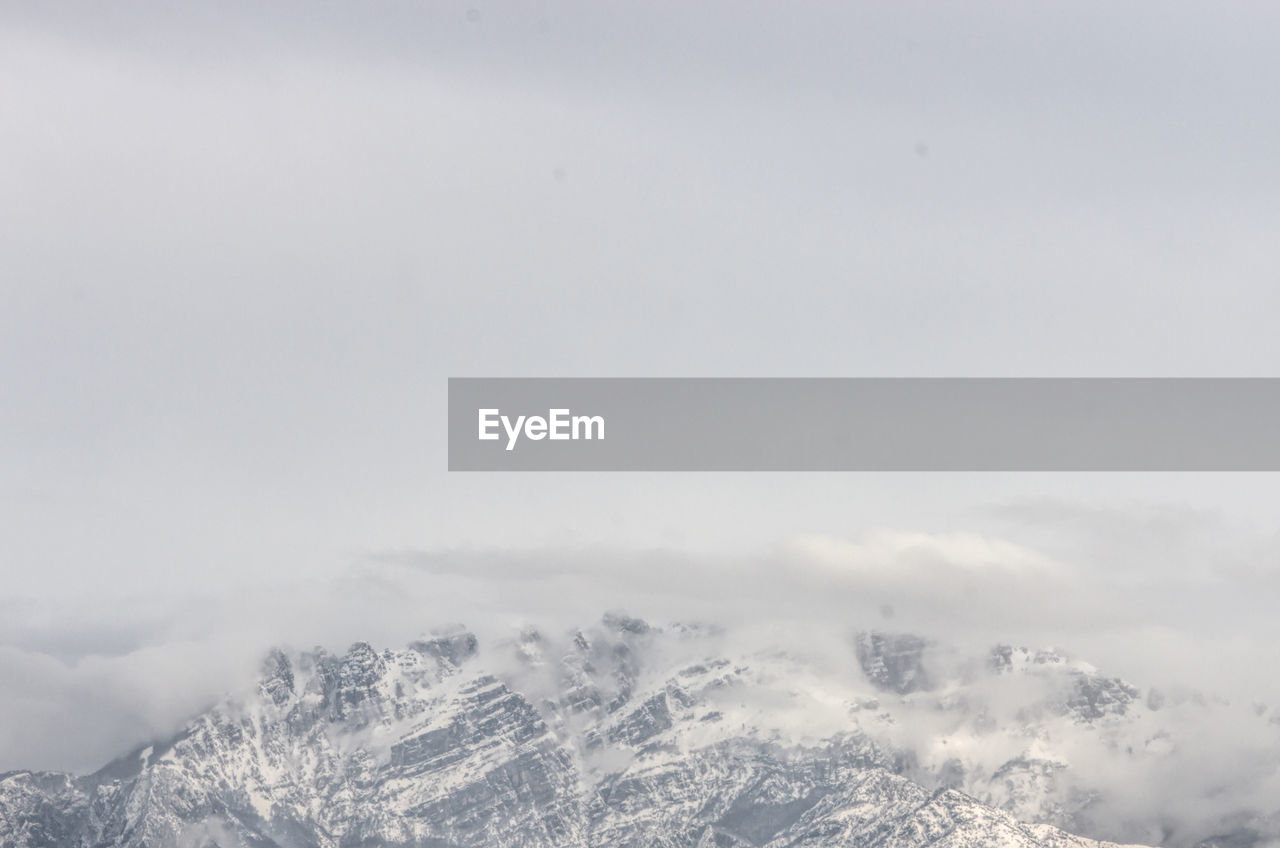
(80, 685)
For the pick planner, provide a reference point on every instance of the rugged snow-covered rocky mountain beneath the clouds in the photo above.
(618, 736)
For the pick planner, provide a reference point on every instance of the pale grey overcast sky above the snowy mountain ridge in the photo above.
(243, 249)
